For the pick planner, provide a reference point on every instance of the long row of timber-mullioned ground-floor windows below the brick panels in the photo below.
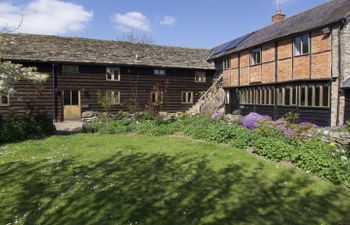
(311, 95)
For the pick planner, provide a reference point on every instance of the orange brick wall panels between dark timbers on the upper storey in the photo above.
(315, 65)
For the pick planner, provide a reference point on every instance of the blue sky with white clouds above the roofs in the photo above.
(187, 23)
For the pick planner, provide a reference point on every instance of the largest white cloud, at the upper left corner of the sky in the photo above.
(45, 17)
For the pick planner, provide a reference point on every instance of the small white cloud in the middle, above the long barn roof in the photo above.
(132, 20)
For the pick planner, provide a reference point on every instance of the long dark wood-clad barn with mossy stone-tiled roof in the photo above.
(134, 76)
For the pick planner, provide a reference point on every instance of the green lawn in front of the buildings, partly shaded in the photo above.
(133, 179)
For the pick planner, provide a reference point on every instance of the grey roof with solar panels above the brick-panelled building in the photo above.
(323, 15)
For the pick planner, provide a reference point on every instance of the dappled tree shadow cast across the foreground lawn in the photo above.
(160, 189)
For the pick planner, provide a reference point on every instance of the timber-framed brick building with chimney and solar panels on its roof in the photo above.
(297, 64)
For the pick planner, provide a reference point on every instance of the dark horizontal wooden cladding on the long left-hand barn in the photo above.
(135, 83)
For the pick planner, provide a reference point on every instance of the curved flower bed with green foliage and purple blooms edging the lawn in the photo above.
(277, 140)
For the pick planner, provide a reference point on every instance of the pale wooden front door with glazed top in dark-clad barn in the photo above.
(71, 105)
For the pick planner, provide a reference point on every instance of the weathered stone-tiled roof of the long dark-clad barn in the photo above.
(81, 50)
